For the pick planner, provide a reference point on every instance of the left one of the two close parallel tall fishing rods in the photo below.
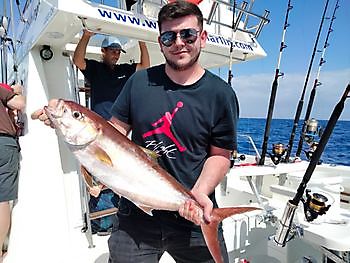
(301, 101)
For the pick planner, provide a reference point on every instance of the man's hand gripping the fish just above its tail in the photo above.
(192, 212)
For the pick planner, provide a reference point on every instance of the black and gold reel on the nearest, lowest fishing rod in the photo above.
(314, 205)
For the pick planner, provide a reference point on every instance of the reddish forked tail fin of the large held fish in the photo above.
(210, 230)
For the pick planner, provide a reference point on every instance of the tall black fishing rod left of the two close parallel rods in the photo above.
(274, 88)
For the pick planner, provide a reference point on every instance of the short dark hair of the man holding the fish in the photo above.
(179, 9)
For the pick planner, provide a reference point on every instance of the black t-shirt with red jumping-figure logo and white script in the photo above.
(179, 122)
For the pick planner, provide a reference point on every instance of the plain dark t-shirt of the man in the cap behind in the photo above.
(106, 83)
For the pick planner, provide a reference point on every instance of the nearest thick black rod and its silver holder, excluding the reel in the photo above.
(286, 222)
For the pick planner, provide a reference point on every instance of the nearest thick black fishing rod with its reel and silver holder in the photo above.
(315, 204)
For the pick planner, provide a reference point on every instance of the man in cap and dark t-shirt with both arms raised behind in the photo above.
(106, 77)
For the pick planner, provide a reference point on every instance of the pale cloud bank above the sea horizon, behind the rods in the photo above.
(254, 91)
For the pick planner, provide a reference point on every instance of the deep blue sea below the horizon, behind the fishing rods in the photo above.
(337, 150)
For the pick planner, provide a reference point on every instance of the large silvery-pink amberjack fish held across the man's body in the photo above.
(125, 168)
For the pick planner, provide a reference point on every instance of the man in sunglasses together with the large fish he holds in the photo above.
(185, 114)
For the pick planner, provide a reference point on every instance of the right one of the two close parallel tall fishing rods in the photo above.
(316, 84)
